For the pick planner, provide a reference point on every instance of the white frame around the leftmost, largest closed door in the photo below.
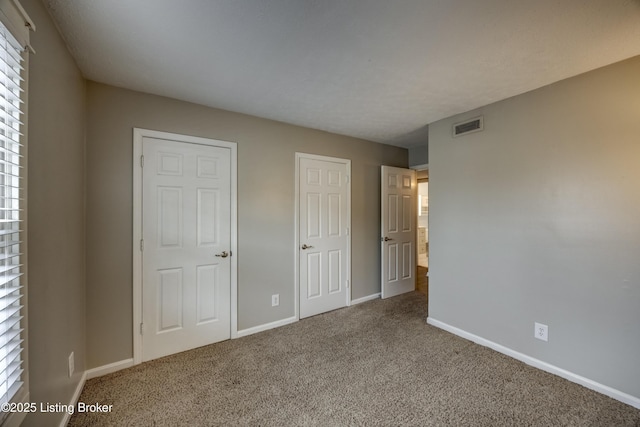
(138, 135)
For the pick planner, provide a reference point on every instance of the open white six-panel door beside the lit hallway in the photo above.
(398, 230)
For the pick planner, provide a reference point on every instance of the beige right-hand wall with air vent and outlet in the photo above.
(537, 219)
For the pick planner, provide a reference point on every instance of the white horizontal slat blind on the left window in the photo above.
(11, 198)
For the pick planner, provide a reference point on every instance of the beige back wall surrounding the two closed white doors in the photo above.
(266, 155)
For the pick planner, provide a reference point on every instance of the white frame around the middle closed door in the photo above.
(296, 269)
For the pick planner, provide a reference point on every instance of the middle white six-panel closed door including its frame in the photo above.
(324, 218)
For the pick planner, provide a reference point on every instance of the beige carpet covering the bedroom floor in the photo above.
(376, 363)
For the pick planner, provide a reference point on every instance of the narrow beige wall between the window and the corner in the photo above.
(56, 291)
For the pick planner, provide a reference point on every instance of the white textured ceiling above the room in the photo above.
(381, 70)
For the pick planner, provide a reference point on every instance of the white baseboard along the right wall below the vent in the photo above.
(586, 382)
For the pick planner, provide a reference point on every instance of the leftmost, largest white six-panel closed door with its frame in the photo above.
(185, 274)
